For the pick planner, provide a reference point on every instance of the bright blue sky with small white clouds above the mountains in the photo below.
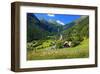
(60, 18)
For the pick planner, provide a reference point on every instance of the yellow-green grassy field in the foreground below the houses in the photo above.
(80, 51)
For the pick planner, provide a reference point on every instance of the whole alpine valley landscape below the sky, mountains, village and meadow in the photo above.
(49, 39)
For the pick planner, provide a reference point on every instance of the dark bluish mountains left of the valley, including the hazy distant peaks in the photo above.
(40, 28)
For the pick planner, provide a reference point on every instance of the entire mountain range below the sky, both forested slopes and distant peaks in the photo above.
(39, 29)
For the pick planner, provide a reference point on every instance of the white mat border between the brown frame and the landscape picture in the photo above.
(61, 62)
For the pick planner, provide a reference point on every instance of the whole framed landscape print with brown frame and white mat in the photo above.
(52, 36)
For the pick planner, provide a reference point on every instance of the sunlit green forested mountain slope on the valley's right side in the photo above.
(78, 31)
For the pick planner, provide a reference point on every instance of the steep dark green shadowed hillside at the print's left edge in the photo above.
(34, 29)
